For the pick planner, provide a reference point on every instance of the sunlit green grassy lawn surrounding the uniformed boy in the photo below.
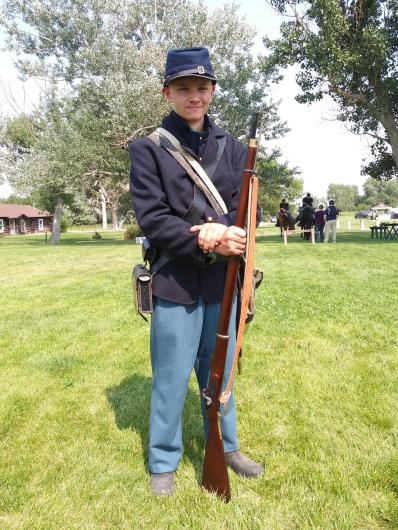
(317, 401)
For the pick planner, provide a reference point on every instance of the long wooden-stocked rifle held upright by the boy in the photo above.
(215, 474)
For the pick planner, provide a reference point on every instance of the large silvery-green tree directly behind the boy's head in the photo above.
(108, 59)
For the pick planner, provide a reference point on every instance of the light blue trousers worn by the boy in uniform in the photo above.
(183, 339)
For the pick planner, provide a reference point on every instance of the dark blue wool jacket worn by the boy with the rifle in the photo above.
(161, 194)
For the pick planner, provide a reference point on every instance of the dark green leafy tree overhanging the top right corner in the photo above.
(347, 49)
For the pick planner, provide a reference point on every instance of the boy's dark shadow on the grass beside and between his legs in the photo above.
(130, 401)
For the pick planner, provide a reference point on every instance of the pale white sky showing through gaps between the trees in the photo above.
(319, 146)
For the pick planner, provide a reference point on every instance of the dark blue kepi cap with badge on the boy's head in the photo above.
(188, 62)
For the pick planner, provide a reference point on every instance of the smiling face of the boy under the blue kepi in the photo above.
(191, 97)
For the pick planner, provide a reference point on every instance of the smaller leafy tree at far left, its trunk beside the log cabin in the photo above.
(40, 164)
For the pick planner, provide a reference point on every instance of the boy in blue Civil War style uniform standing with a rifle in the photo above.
(188, 287)
